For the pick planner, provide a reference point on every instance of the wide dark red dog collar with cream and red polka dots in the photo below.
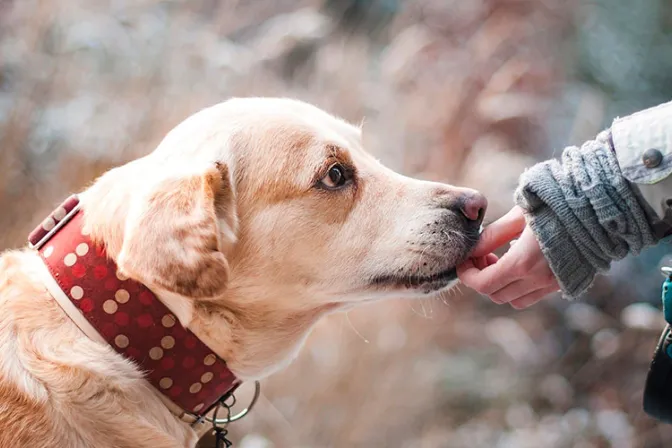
(129, 316)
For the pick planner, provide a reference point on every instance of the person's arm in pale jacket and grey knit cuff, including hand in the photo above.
(599, 203)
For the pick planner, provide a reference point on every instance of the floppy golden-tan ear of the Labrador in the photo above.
(177, 233)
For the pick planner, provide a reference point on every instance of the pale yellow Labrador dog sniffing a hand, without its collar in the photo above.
(249, 222)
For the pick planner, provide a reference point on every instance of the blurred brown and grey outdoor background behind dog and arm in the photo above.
(464, 91)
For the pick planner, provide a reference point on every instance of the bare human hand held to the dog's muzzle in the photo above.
(521, 277)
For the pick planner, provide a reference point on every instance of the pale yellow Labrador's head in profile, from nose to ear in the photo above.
(275, 202)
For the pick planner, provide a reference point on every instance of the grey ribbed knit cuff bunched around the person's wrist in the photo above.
(584, 213)
